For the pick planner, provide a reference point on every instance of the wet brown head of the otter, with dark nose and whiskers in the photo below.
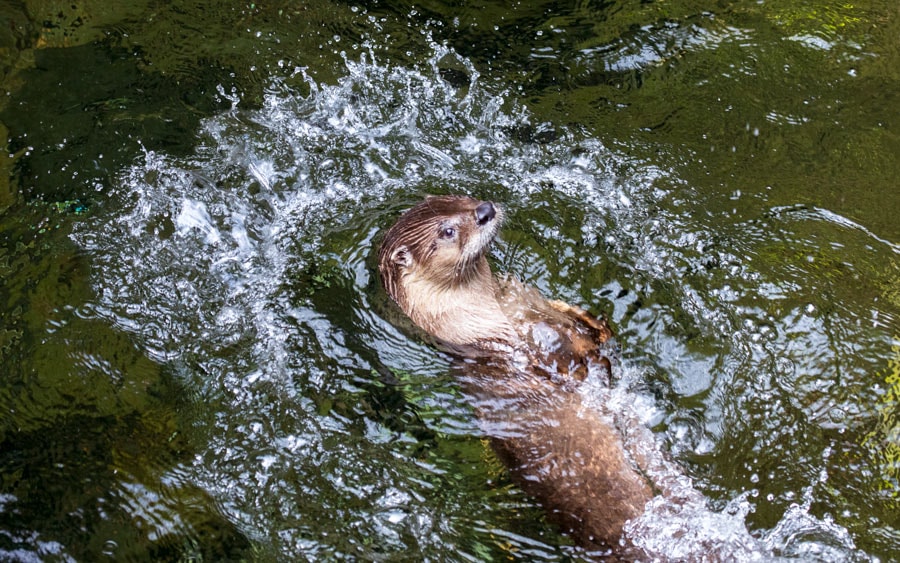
(436, 248)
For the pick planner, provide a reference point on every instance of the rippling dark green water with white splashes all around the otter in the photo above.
(196, 361)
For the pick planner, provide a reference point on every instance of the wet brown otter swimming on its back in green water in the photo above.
(522, 356)
